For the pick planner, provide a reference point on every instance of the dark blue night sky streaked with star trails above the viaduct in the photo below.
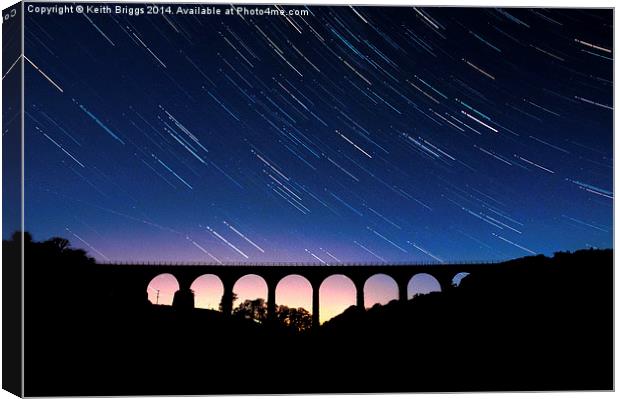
(348, 134)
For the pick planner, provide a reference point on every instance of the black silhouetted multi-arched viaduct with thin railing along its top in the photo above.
(136, 277)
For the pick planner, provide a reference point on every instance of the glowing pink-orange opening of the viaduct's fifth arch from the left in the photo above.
(341, 294)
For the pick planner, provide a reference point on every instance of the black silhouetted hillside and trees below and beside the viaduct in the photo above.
(540, 324)
